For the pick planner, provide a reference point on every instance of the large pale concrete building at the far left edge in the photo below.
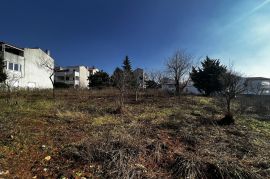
(27, 67)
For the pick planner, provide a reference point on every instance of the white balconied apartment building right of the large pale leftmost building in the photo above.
(74, 76)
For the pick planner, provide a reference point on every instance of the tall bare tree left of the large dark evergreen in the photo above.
(178, 67)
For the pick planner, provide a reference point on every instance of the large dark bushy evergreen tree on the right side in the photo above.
(207, 78)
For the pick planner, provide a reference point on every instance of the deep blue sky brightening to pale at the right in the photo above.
(102, 32)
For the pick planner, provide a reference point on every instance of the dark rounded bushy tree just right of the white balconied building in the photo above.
(99, 80)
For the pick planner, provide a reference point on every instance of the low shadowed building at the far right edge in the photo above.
(257, 85)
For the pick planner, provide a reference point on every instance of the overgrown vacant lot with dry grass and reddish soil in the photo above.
(83, 134)
